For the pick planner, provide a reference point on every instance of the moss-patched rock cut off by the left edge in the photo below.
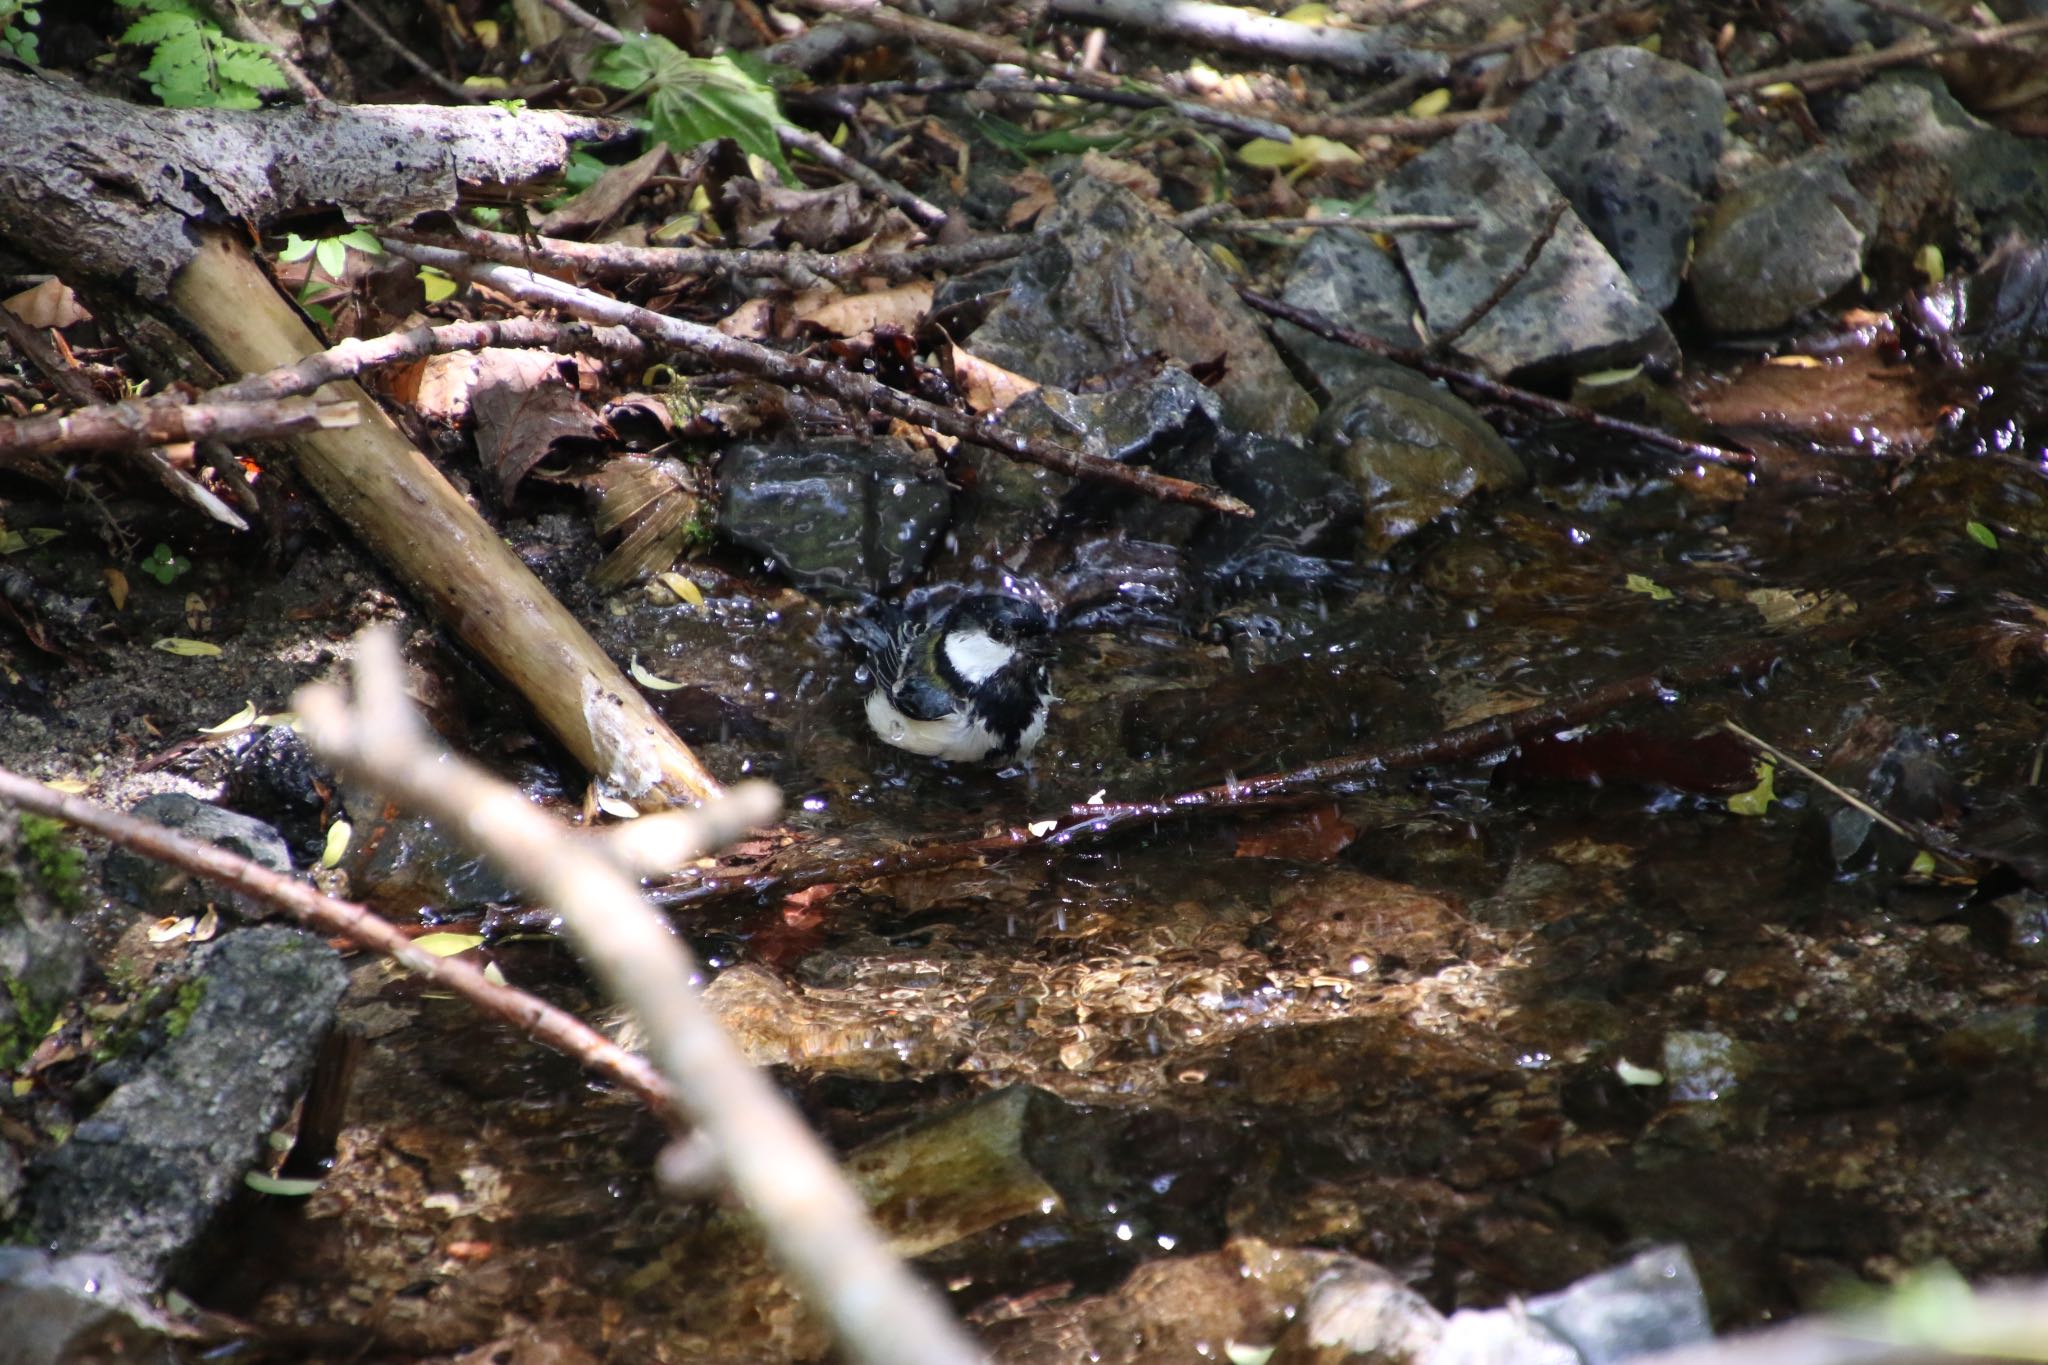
(42, 953)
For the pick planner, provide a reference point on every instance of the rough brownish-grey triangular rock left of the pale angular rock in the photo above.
(1115, 283)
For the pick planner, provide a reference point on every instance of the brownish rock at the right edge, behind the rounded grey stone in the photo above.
(2000, 179)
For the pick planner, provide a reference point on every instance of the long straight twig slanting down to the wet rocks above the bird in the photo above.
(841, 384)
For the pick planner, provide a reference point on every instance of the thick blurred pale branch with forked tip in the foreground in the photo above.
(814, 1221)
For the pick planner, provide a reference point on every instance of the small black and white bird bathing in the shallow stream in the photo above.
(966, 685)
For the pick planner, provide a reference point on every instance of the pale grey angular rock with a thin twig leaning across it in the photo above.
(1572, 312)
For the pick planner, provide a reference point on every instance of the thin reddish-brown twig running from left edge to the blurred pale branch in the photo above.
(536, 1018)
